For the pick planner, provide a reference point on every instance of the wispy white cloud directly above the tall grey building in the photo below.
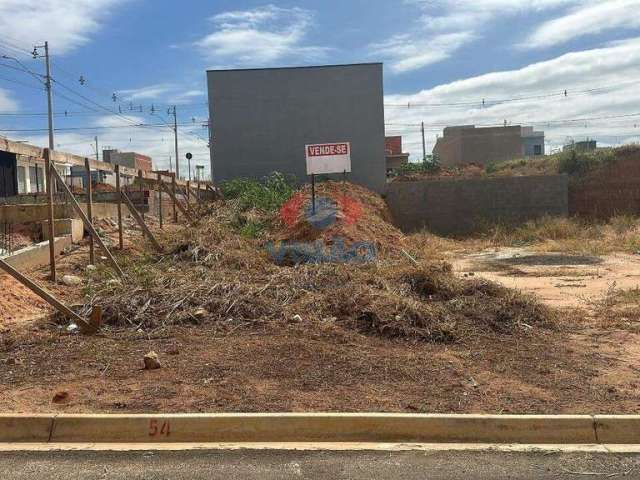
(260, 36)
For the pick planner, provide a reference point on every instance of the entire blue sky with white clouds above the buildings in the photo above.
(156, 52)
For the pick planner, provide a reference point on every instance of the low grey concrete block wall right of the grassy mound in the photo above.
(450, 206)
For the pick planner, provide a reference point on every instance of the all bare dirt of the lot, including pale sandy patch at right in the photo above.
(578, 367)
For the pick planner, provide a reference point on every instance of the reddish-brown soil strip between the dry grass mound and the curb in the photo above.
(305, 368)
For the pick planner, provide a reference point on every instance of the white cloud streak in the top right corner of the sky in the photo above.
(586, 20)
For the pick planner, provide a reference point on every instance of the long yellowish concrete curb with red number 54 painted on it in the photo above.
(320, 427)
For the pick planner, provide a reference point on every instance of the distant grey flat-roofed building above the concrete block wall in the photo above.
(466, 144)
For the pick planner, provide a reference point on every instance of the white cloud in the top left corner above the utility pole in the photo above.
(66, 24)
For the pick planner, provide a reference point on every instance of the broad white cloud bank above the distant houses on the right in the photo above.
(615, 67)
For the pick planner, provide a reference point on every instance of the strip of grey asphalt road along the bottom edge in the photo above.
(268, 465)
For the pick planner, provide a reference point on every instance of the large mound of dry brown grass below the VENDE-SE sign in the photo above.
(217, 276)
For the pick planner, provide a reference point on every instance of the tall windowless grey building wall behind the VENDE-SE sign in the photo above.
(263, 118)
